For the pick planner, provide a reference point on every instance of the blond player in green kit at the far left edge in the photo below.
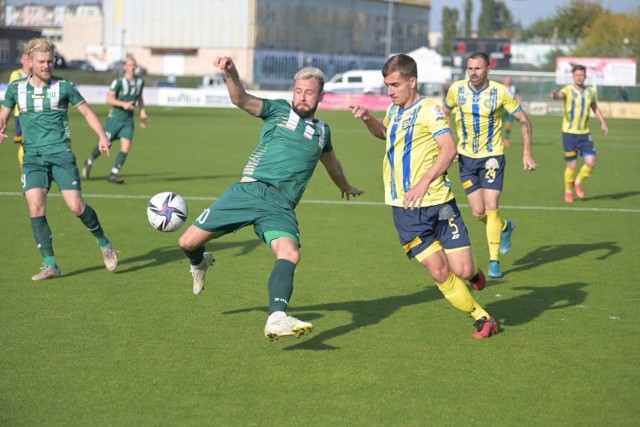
(44, 100)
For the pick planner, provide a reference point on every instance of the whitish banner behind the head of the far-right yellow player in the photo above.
(600, 71)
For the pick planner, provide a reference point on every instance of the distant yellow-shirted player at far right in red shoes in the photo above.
(576, 137)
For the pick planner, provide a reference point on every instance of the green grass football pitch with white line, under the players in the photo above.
(137, 348)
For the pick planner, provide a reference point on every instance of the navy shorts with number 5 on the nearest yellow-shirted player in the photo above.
(418, 229)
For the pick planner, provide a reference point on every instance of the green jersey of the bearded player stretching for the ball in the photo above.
(288, 150)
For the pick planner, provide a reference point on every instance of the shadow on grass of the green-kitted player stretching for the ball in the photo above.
(363, 313)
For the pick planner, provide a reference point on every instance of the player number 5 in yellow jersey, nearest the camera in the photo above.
(419, 150)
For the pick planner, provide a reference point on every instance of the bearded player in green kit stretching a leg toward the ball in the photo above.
(291, 142)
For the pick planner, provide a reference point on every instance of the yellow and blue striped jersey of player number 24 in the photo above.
(479, 117)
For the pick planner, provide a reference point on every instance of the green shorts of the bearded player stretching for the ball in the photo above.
(251, 203)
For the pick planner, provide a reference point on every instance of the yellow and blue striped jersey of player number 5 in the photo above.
(412, 150)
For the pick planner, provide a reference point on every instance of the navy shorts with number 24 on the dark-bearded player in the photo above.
(487, 173)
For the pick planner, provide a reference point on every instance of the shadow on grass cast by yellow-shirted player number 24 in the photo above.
(554, 253)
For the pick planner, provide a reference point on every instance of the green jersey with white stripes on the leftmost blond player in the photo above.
(44, 113)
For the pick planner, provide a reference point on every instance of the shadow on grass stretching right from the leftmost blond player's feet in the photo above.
(167, 254)
